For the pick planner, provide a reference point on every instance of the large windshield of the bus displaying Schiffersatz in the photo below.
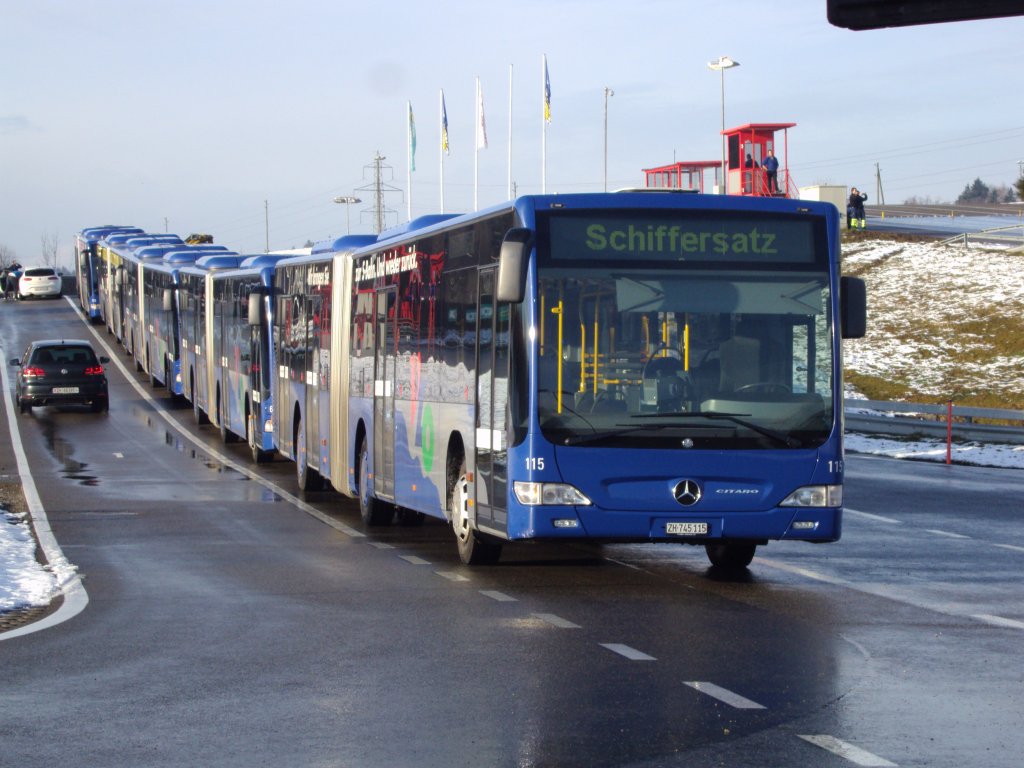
(635, 352)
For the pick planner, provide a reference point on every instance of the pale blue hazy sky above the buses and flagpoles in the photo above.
(246, 119)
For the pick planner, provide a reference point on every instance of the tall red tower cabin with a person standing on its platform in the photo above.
(749, 146)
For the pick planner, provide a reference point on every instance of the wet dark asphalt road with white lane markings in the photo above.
(228, 626)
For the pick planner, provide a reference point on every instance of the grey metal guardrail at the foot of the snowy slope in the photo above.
(933, 420)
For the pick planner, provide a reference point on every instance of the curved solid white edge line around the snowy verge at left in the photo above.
(69, 583)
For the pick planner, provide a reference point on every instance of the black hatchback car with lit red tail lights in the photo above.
(61, 372)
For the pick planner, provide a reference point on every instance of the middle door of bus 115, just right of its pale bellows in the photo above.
(387, 334)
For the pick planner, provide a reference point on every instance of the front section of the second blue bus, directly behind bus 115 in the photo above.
(243, 313)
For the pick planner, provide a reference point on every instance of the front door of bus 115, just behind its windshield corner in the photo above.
(493, 338)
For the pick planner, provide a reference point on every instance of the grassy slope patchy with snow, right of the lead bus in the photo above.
(945, 323)
